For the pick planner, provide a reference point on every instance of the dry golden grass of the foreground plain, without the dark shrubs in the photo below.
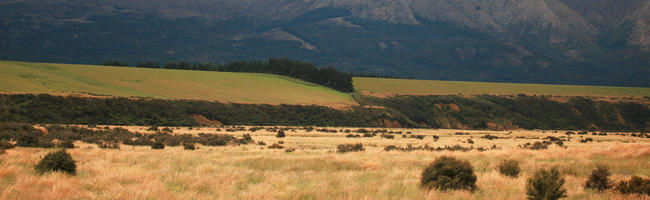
(314, 170)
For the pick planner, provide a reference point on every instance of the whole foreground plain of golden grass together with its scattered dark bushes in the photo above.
(245, 167)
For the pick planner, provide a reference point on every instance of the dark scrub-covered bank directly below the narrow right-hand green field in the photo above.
(529, 112)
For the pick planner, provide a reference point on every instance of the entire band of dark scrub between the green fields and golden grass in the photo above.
(524, 111)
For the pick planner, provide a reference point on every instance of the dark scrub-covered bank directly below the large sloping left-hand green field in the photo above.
(49, 109)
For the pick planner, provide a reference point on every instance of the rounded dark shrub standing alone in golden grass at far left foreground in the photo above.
(57, 161)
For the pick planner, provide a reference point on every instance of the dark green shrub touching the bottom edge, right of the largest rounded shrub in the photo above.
(546, 185)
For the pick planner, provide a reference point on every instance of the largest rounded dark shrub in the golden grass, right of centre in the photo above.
(448, 173)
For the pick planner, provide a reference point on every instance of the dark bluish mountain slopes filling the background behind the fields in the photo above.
(596, 42)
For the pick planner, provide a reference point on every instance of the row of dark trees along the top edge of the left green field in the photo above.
(325, 76)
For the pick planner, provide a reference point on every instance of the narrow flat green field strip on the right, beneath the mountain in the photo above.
(386, 87)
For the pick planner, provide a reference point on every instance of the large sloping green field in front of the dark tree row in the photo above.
(25, 77)
